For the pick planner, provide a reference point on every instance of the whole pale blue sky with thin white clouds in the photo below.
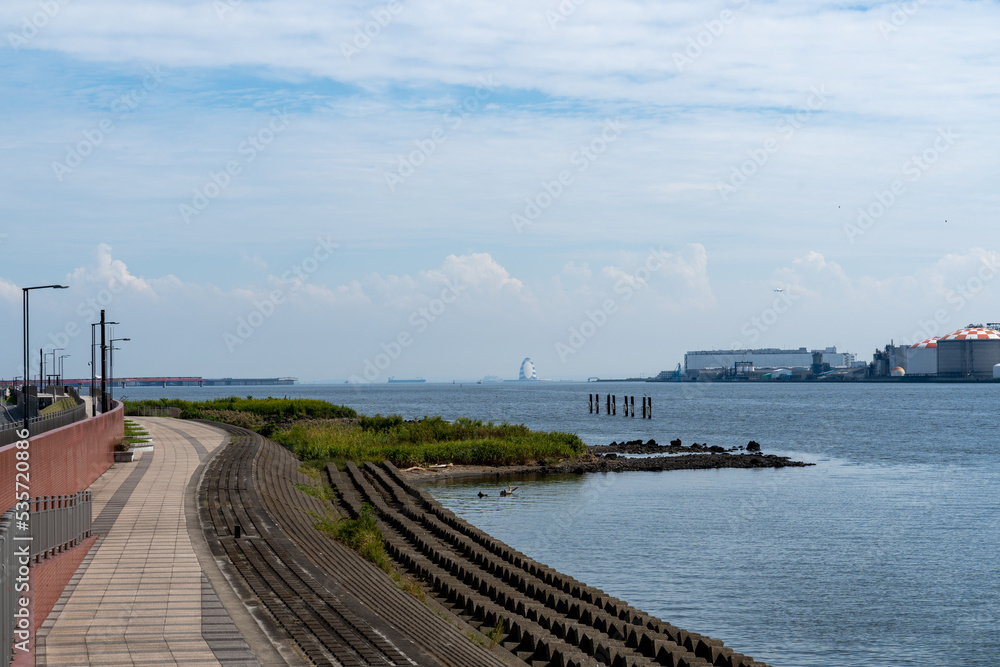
(363, 190)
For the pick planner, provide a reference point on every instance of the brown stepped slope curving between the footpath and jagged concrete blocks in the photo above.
(332, 605)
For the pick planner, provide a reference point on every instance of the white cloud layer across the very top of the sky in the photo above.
(624, 52)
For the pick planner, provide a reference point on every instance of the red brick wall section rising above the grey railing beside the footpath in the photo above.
(63, 461)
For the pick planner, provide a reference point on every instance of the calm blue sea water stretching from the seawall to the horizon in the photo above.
(887, 552)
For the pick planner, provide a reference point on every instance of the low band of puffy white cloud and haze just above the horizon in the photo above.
(499, 317)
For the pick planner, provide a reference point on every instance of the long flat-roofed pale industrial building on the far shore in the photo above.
(697, 362)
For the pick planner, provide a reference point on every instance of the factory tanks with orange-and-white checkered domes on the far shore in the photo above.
(972, 353)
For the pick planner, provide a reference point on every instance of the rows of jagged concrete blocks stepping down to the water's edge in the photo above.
(548, 617)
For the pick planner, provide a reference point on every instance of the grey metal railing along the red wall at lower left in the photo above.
(57, 523)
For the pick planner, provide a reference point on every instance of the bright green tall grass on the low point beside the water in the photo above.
(427, 441)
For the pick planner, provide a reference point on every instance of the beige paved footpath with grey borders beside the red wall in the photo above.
(143, 594)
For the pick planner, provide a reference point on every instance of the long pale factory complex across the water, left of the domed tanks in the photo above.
(767, 363)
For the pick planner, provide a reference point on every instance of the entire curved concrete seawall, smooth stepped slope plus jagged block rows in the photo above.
(487, 604)
